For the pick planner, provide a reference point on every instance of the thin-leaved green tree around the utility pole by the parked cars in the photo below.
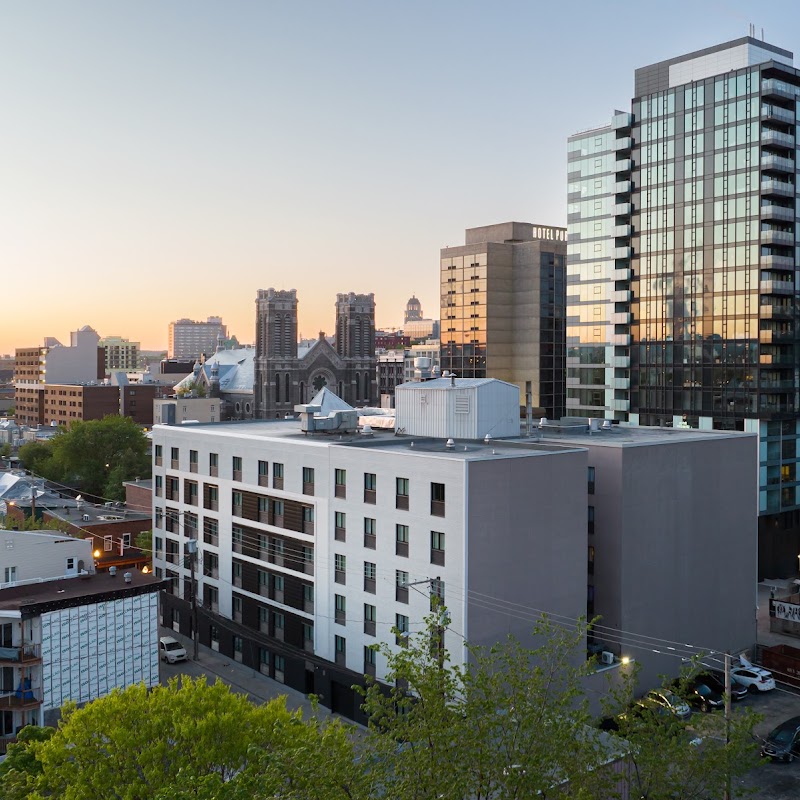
(674, 760)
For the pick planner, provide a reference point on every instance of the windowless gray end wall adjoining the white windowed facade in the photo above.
(526, 541)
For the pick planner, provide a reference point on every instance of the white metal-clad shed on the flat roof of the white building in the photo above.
(458, 408)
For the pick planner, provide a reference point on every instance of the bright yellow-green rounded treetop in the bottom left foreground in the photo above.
(189, 739)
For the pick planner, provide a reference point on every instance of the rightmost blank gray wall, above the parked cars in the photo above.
(684, 538)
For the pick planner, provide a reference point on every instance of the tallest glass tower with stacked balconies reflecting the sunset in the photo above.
(682, 256)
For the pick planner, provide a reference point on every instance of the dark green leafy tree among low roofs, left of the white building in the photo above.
(101, 454)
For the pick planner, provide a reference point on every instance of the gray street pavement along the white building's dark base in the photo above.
(259, 688)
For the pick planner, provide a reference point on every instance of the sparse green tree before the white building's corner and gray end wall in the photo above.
(512, 724)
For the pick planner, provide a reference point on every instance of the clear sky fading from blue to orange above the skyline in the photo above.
(162, 160)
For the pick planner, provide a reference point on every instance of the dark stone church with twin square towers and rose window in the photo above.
(286, 377)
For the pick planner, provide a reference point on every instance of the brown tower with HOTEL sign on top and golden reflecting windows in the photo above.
(503, 309)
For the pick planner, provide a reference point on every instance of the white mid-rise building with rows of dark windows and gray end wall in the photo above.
(314, 546)
